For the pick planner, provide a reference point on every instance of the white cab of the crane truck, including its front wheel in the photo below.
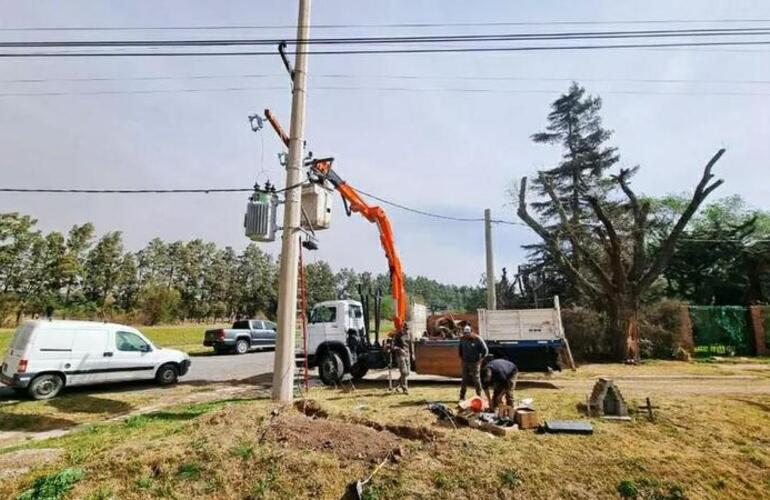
(337, 341)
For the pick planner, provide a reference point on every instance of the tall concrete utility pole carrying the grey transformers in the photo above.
(283, 367)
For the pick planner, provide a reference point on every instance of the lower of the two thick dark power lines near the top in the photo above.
(404, 51)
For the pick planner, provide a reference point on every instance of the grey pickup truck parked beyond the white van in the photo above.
(244, 335)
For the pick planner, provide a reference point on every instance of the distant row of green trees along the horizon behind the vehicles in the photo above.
(80, 275)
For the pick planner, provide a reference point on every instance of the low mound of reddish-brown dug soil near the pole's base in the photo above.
(347, 441)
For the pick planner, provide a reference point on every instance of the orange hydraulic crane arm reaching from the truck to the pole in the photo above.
(374, 214)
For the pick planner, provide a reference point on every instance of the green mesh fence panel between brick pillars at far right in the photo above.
(721, 329)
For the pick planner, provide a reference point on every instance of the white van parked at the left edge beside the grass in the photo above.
(44, 356)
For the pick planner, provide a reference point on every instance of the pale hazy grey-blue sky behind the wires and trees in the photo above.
(446, 135)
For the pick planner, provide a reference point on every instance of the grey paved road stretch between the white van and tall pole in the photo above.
(222, 367)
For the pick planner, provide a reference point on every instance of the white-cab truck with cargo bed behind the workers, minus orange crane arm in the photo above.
(339, 343)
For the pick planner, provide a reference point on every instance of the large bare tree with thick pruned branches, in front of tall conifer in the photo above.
(616, 265)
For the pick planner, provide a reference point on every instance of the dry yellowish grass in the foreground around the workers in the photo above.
(709, 440)
